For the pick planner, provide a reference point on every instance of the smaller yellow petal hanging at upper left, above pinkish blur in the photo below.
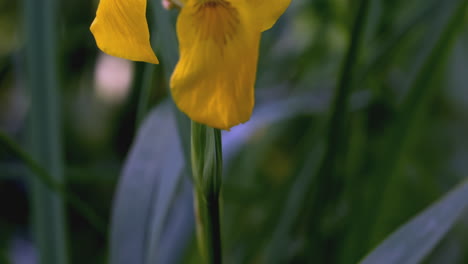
(121, 30)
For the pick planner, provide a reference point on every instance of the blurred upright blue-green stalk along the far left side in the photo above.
(44, 134)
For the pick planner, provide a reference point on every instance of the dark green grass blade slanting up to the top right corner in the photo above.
(414, 105)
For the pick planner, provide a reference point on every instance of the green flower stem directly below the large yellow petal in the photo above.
(206, 155)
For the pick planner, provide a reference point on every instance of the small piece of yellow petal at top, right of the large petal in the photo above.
(266, 12)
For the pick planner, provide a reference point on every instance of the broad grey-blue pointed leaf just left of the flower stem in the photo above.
(153, 188)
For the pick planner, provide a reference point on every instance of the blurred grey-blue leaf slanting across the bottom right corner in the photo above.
(416, 239)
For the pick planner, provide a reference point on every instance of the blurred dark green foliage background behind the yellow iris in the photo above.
(360, 123)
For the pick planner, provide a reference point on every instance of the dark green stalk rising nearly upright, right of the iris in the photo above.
(327, 185)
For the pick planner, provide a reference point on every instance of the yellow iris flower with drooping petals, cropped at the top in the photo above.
(213, 82)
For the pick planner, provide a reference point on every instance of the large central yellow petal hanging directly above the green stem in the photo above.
(213, 82)
